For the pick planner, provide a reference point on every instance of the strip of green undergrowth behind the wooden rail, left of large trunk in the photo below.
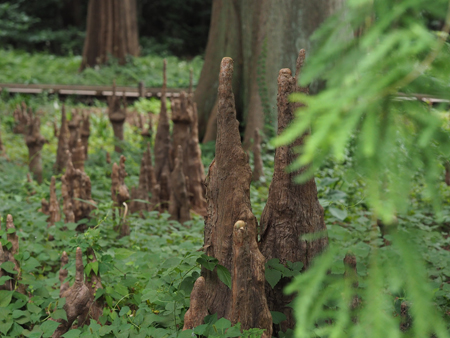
(41, 68)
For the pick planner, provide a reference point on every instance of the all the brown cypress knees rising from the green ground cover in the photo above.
(176, 183)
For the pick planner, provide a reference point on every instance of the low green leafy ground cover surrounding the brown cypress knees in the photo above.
(147, 277)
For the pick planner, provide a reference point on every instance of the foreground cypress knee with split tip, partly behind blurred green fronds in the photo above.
(292, 209)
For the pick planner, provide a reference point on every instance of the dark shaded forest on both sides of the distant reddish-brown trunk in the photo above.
(59, 27)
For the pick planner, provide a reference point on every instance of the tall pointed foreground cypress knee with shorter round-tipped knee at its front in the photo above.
(230, 226)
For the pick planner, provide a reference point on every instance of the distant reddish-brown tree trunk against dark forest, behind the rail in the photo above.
(111, 30)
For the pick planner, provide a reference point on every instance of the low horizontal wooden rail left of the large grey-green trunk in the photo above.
(85, 90)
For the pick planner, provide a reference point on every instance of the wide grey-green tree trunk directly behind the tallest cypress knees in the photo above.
(262, 36)
